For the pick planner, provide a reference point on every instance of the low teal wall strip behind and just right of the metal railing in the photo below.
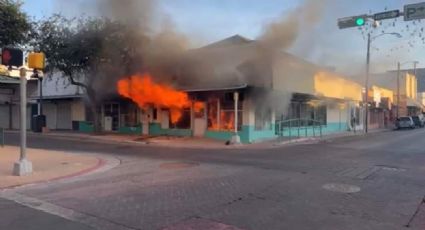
(330, 128)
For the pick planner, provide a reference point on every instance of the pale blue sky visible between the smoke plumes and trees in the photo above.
(206, 21)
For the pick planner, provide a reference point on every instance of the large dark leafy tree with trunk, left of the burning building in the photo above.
(91, 52)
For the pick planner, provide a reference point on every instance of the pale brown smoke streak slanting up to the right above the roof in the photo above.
(282, 33)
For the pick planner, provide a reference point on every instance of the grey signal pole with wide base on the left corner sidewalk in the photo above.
(23, 166)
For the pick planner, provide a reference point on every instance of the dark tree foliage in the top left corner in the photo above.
(15, 26)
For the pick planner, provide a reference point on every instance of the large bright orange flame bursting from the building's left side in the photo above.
(144, 91)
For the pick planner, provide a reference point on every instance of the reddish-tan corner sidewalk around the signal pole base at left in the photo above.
(47, 166)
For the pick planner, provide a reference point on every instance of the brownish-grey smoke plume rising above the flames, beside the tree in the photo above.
(150, 34)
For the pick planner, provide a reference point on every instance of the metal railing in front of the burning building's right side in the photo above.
(299, 127)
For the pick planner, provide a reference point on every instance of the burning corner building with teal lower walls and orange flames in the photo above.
(234, 86)
